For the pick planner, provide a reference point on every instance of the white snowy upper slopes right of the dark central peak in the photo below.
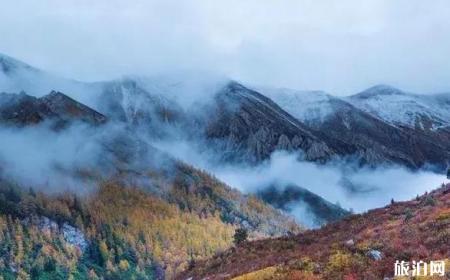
(387, 103)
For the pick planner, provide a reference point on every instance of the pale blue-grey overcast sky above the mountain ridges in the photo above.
(338, 46)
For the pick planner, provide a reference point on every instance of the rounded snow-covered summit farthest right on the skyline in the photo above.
(425, 112)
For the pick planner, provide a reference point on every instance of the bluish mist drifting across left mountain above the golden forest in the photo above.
(75, 159)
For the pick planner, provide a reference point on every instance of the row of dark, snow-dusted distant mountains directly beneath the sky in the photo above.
(237, 123)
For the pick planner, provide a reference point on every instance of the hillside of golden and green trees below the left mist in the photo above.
(119, 231)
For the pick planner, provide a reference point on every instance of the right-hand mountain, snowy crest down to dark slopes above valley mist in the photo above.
(381, 135)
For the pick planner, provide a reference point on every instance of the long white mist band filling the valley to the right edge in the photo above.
(338, 181)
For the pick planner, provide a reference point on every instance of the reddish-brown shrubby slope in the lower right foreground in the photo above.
(362, 246)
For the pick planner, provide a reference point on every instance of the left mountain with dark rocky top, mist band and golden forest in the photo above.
(134, 212)
